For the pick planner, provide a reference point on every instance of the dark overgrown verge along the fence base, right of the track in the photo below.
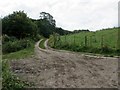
(105, 51)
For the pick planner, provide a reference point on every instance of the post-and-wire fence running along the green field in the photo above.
(87, 41)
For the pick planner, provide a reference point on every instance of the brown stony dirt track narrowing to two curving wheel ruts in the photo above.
(59, 69)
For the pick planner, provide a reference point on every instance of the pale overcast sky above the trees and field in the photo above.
(69, 14)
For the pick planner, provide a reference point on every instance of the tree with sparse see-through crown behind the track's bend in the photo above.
(46, 24)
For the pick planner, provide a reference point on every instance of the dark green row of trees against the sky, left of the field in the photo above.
(19, 25)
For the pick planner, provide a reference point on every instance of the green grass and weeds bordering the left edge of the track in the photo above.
(10, 81)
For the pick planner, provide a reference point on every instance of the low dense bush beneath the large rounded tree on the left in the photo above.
(11, 44)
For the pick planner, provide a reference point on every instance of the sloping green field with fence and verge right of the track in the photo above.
(102, 41)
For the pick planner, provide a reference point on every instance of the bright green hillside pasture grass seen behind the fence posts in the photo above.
(94, 39)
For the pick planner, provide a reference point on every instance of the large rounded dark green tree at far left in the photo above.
(19, 25)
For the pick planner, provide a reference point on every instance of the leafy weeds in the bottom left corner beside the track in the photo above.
(10, 81)
